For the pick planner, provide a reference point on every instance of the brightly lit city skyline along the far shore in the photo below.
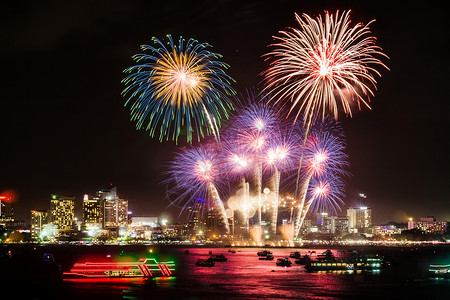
(105, 216)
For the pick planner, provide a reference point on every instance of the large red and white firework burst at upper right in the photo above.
(324, 64)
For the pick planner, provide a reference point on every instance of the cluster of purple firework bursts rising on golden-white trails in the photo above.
(230, 168)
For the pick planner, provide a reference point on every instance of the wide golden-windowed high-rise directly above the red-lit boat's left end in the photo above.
(62, 212)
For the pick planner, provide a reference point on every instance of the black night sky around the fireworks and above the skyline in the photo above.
(63, 127)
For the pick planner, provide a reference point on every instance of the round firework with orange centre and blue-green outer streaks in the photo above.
(179, 87)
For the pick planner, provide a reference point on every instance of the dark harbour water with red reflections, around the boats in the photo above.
(242, 276)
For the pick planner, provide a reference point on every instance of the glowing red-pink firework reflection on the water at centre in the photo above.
(245, 275)
